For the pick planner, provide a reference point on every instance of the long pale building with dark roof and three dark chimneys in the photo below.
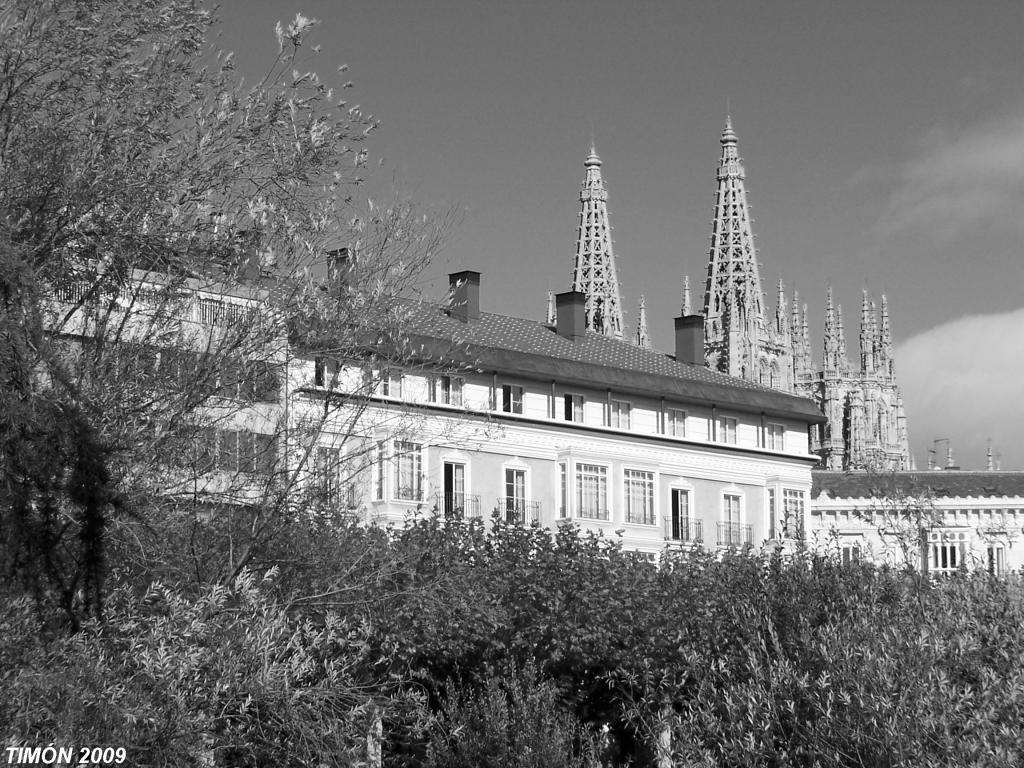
(502, 417)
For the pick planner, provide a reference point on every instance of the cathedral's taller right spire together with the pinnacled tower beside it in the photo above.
(867, 428)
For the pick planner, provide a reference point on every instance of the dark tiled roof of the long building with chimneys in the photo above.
(532, 350)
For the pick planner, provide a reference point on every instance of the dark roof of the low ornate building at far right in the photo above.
(952, 484)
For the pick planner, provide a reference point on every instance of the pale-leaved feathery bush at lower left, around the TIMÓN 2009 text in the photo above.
(227, 679)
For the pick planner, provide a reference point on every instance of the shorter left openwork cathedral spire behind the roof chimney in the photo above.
(594, 273)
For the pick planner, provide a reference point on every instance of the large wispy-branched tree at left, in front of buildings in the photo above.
(160, 225)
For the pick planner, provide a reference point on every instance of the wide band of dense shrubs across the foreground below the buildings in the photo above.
(454, 645)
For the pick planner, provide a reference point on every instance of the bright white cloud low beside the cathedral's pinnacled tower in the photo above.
(965, 380)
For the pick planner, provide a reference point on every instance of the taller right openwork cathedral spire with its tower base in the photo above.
(740, 340)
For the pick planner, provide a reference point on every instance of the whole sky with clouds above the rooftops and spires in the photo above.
(884, 148)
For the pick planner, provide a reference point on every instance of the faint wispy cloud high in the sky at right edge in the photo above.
(960, 183)
